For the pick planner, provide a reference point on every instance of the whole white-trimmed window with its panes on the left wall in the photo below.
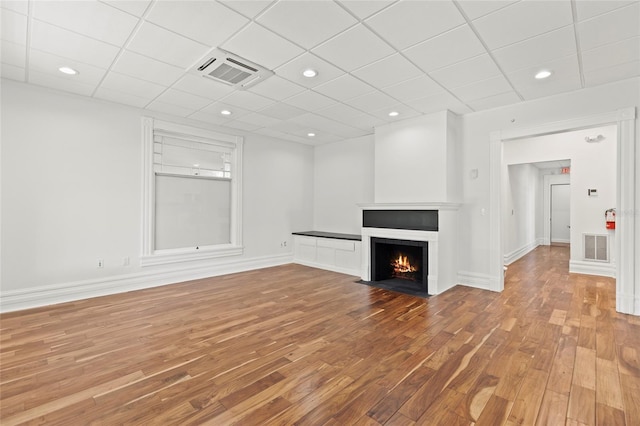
(192, 193)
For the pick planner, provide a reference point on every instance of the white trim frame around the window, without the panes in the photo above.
(150, 256)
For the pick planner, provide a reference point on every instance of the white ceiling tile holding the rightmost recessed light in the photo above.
(565, 77)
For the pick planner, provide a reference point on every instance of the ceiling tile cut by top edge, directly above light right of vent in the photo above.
(307, 23)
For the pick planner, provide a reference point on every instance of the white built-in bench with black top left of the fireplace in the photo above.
(328, 250)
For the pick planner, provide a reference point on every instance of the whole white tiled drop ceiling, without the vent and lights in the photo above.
(372, 56)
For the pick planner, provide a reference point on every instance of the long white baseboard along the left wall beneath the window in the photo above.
(47, 295)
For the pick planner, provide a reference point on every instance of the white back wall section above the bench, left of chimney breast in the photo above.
(343, 178)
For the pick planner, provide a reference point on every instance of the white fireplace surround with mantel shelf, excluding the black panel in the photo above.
(442, 266)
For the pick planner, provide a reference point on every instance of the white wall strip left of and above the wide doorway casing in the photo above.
(477, 127)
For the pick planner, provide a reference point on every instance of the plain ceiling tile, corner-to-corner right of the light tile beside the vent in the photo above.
(390, 70)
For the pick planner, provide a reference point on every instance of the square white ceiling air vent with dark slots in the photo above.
(232, 70)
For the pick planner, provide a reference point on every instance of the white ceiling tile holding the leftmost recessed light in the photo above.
(47, 63)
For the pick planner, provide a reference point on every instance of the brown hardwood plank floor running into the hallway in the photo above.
(296, 345)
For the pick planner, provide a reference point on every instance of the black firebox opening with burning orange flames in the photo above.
(400, 265)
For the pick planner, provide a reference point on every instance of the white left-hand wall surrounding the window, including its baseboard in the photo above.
(72, 193)
